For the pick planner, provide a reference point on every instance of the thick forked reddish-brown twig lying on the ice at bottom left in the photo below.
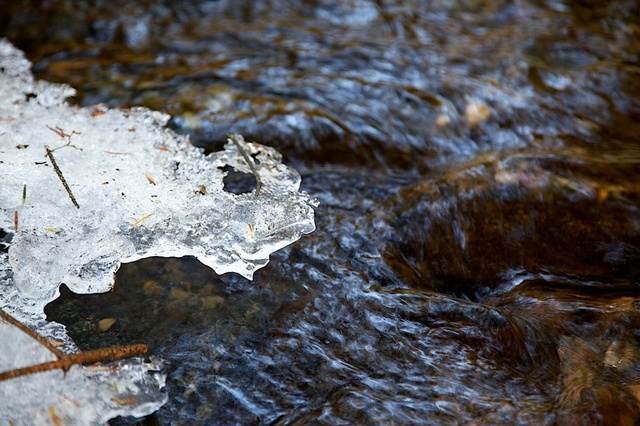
(66, 361)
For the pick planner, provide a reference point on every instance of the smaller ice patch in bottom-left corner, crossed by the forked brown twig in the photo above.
(82, 396)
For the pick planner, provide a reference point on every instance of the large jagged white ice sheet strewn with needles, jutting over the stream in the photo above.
(141, 189)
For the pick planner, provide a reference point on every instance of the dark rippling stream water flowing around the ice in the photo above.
(477, 258)
